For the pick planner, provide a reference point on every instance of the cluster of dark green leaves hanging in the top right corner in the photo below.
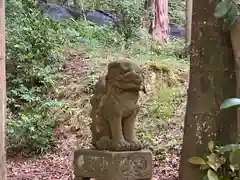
(228, 10)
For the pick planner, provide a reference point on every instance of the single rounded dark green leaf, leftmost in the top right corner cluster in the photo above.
(222, 8)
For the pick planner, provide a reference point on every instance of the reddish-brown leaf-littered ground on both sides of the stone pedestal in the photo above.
(73, 88)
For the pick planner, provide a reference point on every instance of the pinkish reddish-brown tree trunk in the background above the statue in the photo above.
(159, 24)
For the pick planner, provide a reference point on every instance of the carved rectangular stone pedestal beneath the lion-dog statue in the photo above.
(109, 165)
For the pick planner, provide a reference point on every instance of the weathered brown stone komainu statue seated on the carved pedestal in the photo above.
(115, 106)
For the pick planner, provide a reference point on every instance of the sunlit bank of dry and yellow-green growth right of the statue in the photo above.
(161, 105)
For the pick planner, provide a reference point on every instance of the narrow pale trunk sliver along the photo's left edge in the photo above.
(2, 93)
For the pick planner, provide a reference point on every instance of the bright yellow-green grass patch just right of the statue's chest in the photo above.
(159, 111)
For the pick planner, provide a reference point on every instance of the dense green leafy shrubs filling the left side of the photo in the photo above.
(33, 43)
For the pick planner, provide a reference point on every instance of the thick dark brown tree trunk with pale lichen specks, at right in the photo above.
(212, 80)
